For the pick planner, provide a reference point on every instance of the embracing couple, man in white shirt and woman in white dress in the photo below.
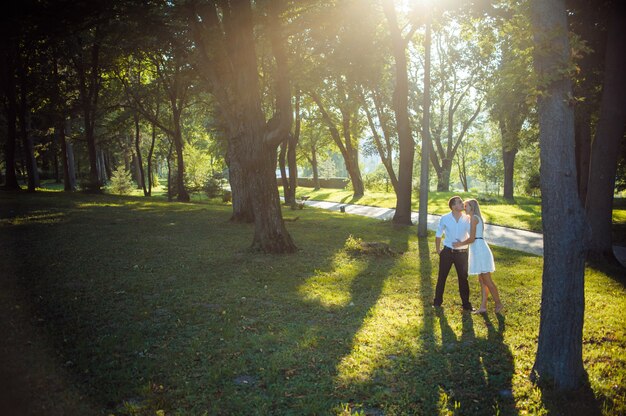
(462, 230)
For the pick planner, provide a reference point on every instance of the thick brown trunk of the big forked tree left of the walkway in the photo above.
(225, 36)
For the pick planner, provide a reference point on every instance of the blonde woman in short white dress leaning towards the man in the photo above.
(480, 257)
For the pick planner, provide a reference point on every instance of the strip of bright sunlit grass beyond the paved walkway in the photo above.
(525, 213)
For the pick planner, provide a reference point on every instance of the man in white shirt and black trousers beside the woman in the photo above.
(456, 227)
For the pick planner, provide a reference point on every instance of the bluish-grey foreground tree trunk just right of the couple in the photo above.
(559, 352)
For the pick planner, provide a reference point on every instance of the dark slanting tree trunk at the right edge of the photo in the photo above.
(606, 145)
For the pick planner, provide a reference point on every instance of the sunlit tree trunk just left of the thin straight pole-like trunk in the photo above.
(400, 105)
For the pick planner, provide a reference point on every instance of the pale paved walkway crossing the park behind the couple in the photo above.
(522, 240)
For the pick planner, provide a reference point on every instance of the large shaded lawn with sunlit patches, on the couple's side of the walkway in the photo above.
(131, 306)
